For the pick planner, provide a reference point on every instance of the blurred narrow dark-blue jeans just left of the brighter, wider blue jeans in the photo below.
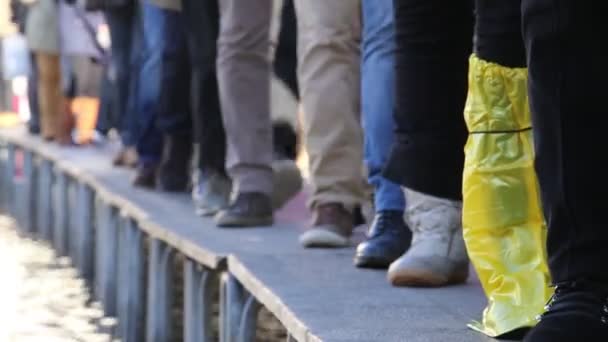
(126, 46)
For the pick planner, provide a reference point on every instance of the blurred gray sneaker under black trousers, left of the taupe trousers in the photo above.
(211, 193)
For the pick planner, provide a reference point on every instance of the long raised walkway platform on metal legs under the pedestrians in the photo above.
(132, 244)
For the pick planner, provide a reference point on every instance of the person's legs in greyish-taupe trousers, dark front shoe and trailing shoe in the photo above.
(243, 65)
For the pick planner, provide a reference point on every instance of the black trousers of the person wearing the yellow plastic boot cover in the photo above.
(434, 42)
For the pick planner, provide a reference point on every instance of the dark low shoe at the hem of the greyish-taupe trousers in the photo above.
(248, 209)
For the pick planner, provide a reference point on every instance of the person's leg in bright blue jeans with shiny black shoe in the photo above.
(388, 237)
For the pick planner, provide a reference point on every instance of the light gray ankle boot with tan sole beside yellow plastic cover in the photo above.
(437, 256)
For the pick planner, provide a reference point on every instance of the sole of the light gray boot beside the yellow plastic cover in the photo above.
(424, 278)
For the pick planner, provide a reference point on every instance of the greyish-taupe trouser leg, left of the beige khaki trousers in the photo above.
(243, 68)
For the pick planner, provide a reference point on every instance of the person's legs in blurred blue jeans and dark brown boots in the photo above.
(164, 140)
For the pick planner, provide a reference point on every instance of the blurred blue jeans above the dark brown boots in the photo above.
(161, 79)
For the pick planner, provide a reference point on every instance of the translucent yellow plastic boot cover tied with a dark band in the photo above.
(504, 228)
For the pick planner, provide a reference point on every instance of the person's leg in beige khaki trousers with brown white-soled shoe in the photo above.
(329, 74)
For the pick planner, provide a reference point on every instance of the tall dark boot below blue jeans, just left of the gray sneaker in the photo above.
(173, 175)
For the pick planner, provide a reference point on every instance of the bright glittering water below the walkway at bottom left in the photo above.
(41, 298)
